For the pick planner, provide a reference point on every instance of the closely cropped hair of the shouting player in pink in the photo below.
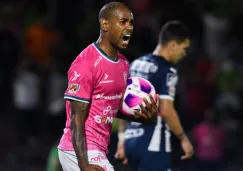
(107, 9)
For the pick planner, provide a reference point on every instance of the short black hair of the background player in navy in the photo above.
(173, 30)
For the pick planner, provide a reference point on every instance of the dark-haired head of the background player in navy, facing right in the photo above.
(174, 36)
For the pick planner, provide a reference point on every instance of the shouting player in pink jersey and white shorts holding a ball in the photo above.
(96, 83)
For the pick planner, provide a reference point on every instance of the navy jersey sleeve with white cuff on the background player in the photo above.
(168, 85)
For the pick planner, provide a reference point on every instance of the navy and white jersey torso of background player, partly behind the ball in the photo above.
(151, 68)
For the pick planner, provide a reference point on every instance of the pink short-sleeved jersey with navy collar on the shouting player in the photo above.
(96, 79)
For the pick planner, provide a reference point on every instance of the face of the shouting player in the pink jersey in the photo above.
(120, 27)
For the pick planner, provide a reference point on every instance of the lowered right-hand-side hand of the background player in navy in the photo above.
(187, 148)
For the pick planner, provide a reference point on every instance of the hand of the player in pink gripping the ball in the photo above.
(149, 113)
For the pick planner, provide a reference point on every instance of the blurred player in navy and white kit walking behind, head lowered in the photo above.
(147, 147)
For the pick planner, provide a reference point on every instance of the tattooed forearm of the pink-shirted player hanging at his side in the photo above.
(78, 139)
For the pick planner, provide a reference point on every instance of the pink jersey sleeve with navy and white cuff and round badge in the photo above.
(80, 81)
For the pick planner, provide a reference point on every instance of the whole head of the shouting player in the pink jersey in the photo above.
(116, 24)
